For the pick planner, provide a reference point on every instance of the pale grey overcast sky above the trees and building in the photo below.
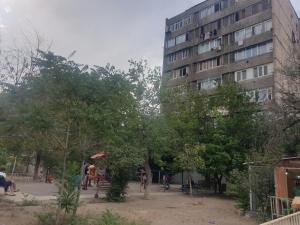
(101, 31)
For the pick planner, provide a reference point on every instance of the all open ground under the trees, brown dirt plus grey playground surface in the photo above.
(163, 208)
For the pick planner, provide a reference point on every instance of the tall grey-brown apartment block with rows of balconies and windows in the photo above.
(247, 41)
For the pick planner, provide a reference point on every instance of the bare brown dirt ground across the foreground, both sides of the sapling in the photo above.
(161, 209)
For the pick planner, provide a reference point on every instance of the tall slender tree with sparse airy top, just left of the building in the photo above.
(153, 132)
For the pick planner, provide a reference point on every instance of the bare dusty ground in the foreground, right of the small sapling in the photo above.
(175, 209)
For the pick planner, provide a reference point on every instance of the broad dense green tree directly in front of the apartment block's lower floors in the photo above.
(223, 122)
